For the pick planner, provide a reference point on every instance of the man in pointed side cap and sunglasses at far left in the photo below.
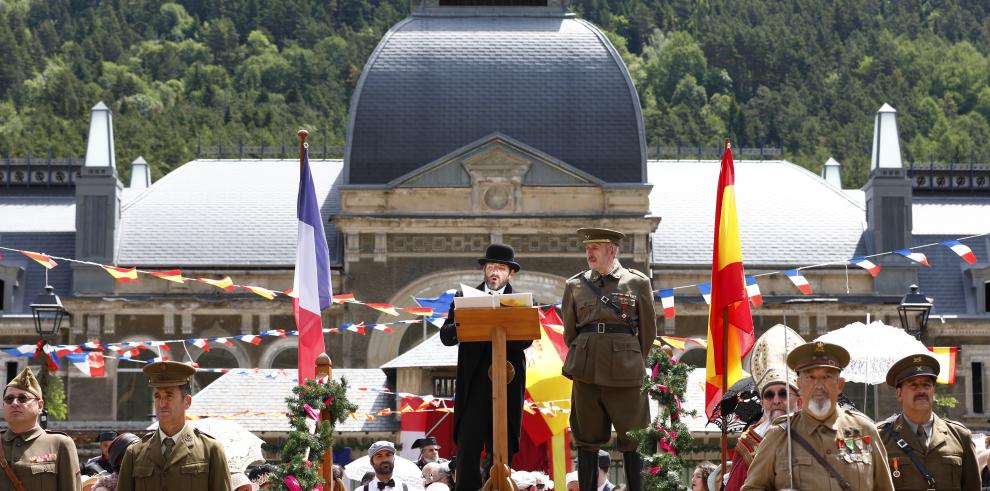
(35, 458)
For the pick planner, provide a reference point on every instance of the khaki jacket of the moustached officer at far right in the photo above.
(950, 457)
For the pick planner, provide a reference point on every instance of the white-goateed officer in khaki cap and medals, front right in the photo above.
(831, 448)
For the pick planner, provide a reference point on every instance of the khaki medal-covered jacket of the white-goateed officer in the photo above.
(863, 465)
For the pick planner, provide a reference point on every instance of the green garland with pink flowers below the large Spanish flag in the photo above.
(667, 434)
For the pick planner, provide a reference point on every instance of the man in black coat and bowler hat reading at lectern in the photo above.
(473, 388)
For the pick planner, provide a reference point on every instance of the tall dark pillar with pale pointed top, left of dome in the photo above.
(97, 205)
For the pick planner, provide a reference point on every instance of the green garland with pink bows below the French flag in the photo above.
(332, 396)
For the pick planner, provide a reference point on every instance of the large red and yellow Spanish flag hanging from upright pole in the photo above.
(726, 346)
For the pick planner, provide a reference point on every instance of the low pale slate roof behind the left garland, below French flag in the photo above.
(255, 391)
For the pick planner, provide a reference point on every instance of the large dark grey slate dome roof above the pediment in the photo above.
(437, 83)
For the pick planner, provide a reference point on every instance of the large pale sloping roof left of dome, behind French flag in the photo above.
(221, 213)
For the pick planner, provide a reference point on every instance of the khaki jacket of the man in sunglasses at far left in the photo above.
(41, 460)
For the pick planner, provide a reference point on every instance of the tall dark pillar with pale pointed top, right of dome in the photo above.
(888, 206)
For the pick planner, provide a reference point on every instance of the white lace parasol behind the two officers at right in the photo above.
(873, 349)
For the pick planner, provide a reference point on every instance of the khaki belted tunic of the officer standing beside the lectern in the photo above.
(614, 360)
